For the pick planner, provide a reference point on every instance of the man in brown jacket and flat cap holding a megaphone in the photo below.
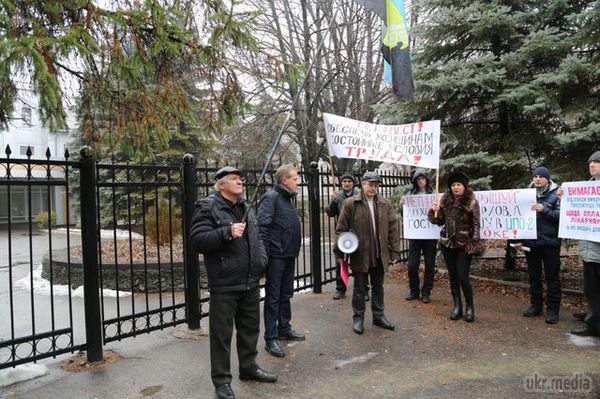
(372, 218)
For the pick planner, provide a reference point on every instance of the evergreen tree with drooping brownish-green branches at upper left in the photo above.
(147, 72)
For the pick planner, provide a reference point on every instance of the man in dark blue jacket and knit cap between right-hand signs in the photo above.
(545, 250)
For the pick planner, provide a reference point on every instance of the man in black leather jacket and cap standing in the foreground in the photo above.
(235, 259)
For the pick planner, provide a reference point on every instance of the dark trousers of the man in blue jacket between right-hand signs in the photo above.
(549, 259)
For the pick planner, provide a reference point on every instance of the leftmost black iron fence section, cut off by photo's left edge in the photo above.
(40, 315)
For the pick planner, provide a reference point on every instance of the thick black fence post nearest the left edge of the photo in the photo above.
(89, 245)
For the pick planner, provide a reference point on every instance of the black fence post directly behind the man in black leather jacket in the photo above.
(192, 297)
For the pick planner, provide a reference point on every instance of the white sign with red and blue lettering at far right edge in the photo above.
(580, 211)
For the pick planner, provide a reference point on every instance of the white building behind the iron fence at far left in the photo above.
(25, 131)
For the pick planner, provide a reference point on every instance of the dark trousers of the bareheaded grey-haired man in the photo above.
(279, 289)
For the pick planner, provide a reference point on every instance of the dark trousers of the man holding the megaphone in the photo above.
(360, 289)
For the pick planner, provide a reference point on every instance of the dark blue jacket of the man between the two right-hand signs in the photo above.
(547, 220)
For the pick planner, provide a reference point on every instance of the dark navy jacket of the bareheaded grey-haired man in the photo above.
(279, 223)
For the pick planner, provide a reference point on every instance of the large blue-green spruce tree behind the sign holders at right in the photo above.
(514, 83)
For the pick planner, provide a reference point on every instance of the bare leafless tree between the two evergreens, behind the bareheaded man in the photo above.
(345, 78)
